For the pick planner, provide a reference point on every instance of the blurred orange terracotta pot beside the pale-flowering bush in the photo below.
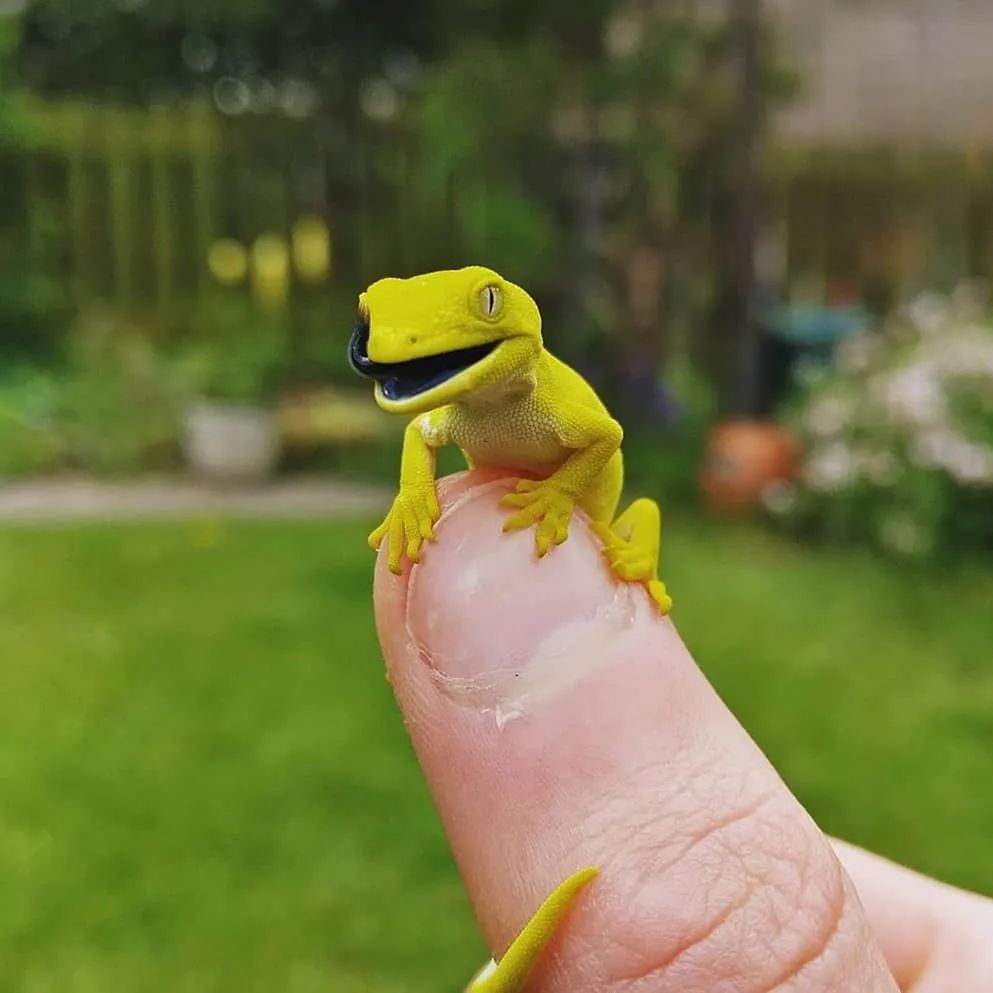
(743, 458)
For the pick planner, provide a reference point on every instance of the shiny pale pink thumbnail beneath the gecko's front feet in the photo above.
(502, 628)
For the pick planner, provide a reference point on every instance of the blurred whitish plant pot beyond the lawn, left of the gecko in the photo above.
(231, 443)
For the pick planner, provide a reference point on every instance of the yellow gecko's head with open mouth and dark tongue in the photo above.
(456, 334)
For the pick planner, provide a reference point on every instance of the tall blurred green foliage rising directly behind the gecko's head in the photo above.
(595, 139)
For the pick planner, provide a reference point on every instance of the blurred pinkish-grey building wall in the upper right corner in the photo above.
(889, 71)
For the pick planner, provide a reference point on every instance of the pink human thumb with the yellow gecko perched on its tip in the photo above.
(562, 724)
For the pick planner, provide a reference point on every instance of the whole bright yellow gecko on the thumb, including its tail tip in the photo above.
(461, 352)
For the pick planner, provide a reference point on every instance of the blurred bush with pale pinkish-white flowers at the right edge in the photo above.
(898, 435)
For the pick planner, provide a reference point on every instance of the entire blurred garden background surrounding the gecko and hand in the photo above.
(764, 230)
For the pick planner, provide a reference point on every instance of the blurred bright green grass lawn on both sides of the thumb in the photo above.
(204, 785)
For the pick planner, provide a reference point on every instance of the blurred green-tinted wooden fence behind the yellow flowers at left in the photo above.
(129, 201)
